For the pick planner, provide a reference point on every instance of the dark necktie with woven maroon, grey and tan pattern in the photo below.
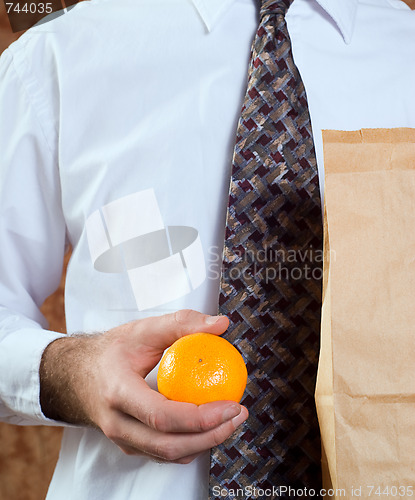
(271, 278)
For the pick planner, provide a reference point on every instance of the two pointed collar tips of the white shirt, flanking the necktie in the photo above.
(343, 13)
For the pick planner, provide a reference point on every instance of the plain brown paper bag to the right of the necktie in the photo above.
(365, 392)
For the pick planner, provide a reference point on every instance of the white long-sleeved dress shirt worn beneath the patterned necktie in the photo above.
(117, 128)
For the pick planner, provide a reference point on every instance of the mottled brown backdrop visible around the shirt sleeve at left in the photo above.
(28, 454)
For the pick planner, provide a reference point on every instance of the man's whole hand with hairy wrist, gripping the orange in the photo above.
(98, 380)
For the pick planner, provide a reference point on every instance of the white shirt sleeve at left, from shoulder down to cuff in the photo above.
(32, 241)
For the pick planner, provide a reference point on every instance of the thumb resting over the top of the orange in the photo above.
(161, 331)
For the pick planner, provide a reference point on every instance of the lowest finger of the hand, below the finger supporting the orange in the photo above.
(136, 437)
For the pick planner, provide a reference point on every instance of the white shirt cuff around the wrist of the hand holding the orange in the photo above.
(20, 356)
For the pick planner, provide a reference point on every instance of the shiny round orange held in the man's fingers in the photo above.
(201, 368)
